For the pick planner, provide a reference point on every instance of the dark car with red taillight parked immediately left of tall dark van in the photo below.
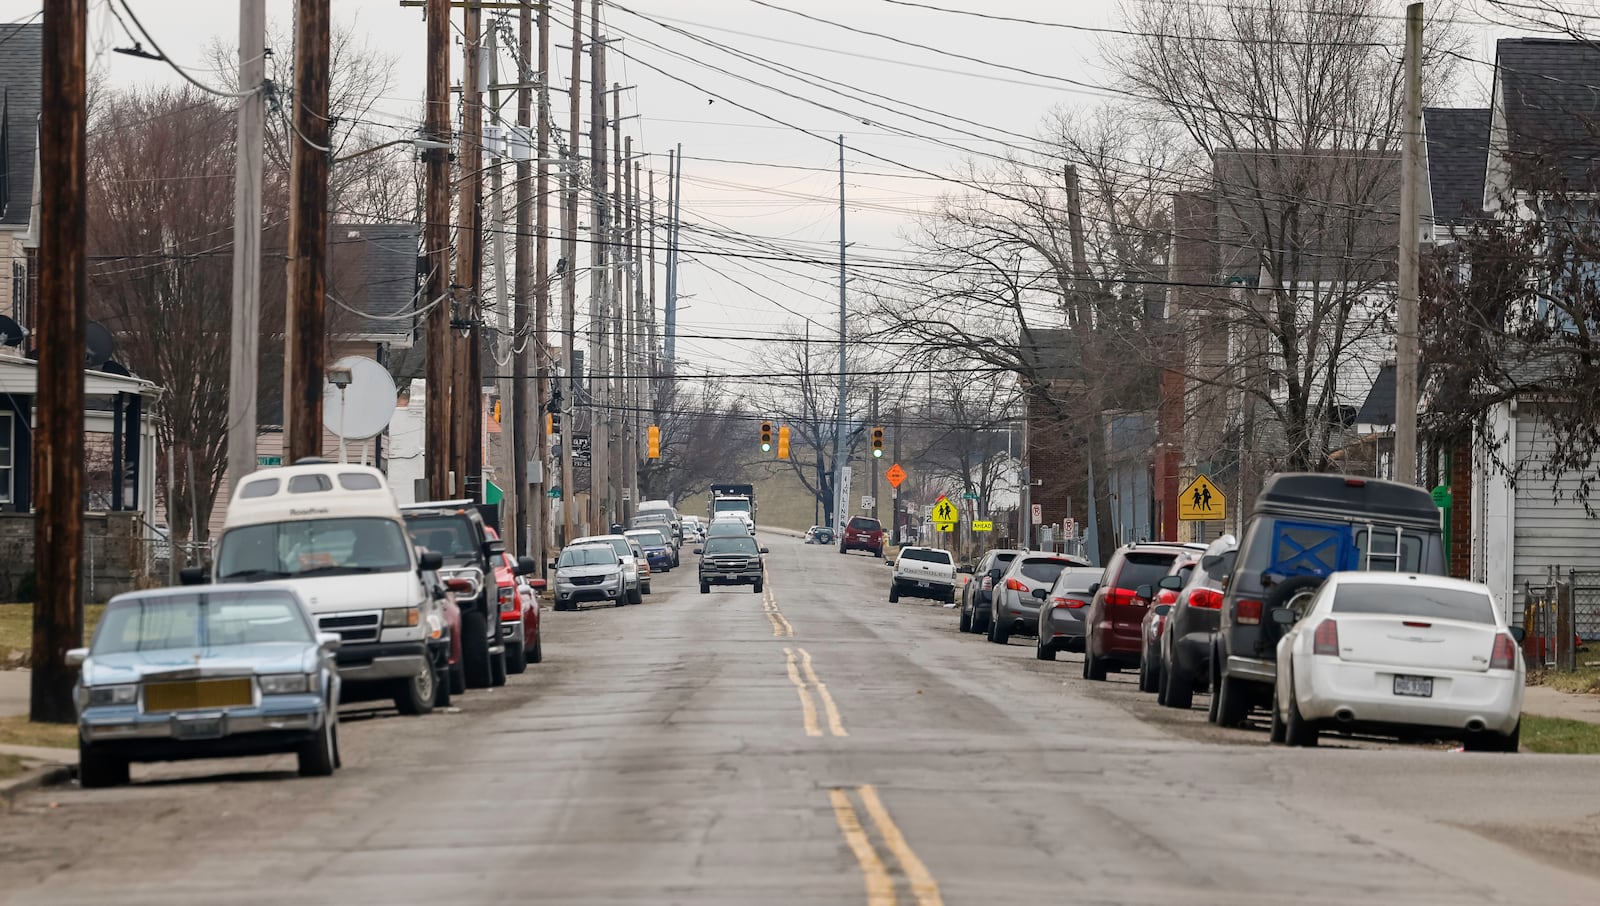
(1191, 627)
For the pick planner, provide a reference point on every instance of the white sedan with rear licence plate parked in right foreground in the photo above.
(1399, 655)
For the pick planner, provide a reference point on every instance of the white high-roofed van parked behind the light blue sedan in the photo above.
(337, 535)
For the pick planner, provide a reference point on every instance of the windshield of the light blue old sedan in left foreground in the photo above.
(201, 622)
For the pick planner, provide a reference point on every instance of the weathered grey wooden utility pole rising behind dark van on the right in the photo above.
(1410, 252)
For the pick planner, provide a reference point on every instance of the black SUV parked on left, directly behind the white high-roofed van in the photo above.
(455, 531)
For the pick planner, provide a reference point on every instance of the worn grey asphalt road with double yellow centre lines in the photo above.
(815, 745)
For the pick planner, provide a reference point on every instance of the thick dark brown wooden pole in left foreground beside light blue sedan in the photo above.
(58, 436)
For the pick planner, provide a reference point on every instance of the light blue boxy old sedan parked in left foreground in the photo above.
(201, 673)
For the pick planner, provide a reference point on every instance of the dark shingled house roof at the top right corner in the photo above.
(1550, 94)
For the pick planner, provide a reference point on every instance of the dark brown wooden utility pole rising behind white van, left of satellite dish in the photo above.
(306, 334)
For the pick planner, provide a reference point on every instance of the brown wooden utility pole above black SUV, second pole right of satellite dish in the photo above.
(468, 438)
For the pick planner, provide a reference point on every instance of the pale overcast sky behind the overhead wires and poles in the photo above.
(748, 170)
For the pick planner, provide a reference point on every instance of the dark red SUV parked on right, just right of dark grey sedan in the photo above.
(1116, 615)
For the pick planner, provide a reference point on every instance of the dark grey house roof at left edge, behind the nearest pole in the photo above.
(22, 84)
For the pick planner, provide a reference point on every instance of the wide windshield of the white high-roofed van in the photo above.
(313, 547)
